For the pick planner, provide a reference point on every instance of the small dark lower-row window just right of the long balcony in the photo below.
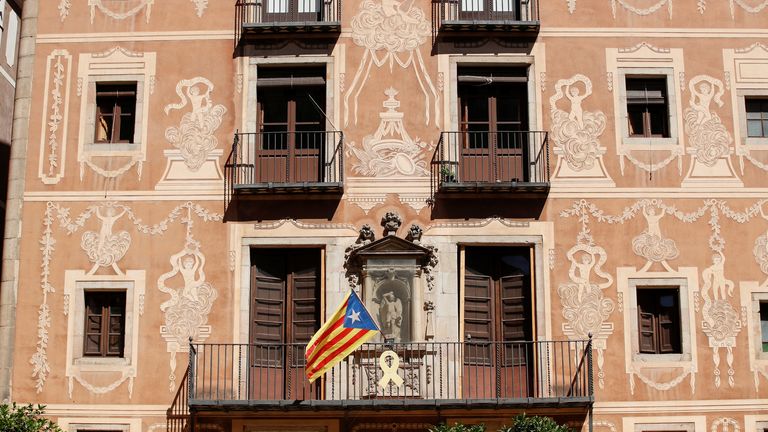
(659, 320)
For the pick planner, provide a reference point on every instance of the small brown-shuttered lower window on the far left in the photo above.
(104, 324)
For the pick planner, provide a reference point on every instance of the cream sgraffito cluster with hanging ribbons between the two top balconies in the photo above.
(391, 32)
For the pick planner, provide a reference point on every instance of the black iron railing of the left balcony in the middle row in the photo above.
(284, 158)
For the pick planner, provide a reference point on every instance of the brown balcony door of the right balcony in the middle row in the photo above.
(493, 125)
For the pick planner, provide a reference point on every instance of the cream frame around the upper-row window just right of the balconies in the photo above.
(645, 59)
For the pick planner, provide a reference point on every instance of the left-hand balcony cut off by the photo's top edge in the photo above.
(259, 18)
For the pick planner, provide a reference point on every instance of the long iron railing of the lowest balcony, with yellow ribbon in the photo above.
(426, 373)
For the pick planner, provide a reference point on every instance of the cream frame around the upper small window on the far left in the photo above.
(116, 65)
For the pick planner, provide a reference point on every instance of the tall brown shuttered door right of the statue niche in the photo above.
(498, 323)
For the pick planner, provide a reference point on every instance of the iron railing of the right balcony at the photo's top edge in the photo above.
(444, 11)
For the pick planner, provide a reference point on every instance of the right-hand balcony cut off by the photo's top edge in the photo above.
(467, 17)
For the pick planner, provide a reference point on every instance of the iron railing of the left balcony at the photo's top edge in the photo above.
(285, 12)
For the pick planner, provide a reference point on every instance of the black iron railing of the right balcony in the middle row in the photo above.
(491, 158)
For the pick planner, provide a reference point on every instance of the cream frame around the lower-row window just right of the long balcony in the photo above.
(686, 278)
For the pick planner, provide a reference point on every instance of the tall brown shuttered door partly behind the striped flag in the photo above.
(285, 313)
